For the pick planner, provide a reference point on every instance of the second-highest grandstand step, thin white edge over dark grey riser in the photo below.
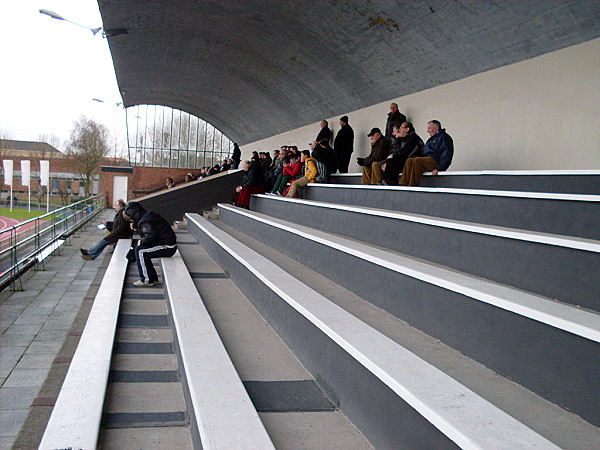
(574, 215)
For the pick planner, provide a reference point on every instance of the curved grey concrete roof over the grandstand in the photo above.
(258, 68)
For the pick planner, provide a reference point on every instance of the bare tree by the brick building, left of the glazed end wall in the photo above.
(88, 146)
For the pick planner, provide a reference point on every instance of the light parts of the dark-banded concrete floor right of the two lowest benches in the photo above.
(258, 354)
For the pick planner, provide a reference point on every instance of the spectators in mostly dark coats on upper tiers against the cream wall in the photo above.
(398, 156)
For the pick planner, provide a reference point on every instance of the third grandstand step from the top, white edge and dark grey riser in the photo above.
(559, 267)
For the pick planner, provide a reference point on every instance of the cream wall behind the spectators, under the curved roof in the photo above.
(543, 113)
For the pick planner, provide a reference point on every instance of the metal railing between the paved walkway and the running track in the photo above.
(31, 241)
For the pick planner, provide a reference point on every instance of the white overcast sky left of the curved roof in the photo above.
(50, 70)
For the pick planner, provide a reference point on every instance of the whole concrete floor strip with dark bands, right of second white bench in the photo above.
(280, 387)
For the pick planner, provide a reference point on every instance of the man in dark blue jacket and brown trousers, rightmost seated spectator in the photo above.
(438, 152)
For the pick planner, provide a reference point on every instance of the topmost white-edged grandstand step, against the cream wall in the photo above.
(559, 181)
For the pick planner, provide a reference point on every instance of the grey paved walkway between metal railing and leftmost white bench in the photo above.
(40, 328)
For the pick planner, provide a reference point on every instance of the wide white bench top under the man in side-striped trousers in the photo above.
(224, 413)
